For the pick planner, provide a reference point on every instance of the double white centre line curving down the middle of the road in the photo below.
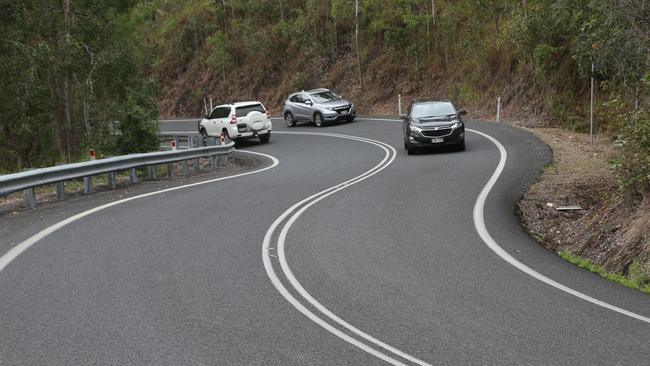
(311, 200)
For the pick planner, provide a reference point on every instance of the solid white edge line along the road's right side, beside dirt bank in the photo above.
(481, 229)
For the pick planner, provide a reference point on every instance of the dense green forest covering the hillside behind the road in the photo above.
(79, 73)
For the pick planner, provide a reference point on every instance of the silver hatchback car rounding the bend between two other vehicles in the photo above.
(319, 106)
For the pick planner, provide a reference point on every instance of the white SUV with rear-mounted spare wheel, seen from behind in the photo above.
(238, 121)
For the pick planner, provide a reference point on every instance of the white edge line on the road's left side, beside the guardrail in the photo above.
(14, 252)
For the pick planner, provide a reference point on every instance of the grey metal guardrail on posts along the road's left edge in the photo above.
(28, 180)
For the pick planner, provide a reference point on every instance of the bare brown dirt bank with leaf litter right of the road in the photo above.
(609, 230)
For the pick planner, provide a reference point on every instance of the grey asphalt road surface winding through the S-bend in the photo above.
(289, 267)
